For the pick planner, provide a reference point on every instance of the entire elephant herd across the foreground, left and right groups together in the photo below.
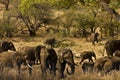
(53, 60)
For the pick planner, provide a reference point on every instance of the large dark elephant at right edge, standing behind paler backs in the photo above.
(111, 46)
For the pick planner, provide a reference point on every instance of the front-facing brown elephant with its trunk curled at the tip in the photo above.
(65, 56)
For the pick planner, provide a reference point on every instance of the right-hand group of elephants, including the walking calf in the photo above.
(106, 63)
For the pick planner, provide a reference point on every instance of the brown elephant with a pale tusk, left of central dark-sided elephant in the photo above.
(32, 55)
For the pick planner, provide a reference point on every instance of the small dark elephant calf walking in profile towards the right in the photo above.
(87, 55)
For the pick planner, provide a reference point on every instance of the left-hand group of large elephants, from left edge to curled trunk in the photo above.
(46, 58)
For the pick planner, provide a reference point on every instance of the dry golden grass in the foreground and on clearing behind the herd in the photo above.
(79, 46)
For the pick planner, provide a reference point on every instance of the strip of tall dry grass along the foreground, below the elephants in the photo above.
(12, 74)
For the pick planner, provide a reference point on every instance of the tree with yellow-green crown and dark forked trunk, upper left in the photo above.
(34, 15)
